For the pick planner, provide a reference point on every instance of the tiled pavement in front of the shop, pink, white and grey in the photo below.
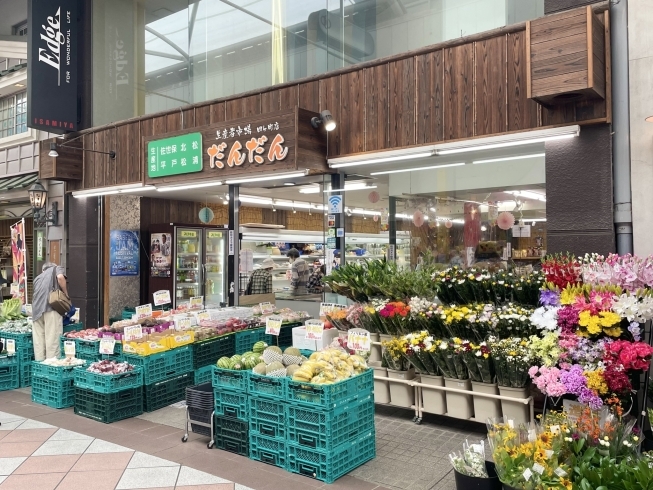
(42, 448)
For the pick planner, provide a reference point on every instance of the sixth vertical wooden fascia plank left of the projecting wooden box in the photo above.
(377, 125)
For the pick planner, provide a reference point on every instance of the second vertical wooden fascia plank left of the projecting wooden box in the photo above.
(490, 80)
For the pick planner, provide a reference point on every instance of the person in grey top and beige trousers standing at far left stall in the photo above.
(47, 323)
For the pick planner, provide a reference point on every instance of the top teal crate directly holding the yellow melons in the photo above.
(328, 397)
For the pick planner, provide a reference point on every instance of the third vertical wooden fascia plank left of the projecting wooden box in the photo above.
(458, 92)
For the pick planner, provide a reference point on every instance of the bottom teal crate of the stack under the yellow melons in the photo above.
(328, 466)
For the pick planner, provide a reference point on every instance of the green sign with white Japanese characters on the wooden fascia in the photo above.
(175, 156)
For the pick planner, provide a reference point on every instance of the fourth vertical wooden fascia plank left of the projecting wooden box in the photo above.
(430, 80)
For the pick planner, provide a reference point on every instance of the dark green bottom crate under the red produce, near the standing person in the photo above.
(109, 407)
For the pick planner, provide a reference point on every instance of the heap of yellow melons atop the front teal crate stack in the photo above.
(329, 366)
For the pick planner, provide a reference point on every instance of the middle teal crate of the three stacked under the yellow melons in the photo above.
(323, 430)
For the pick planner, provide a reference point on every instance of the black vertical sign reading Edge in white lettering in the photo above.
(52, 65)
